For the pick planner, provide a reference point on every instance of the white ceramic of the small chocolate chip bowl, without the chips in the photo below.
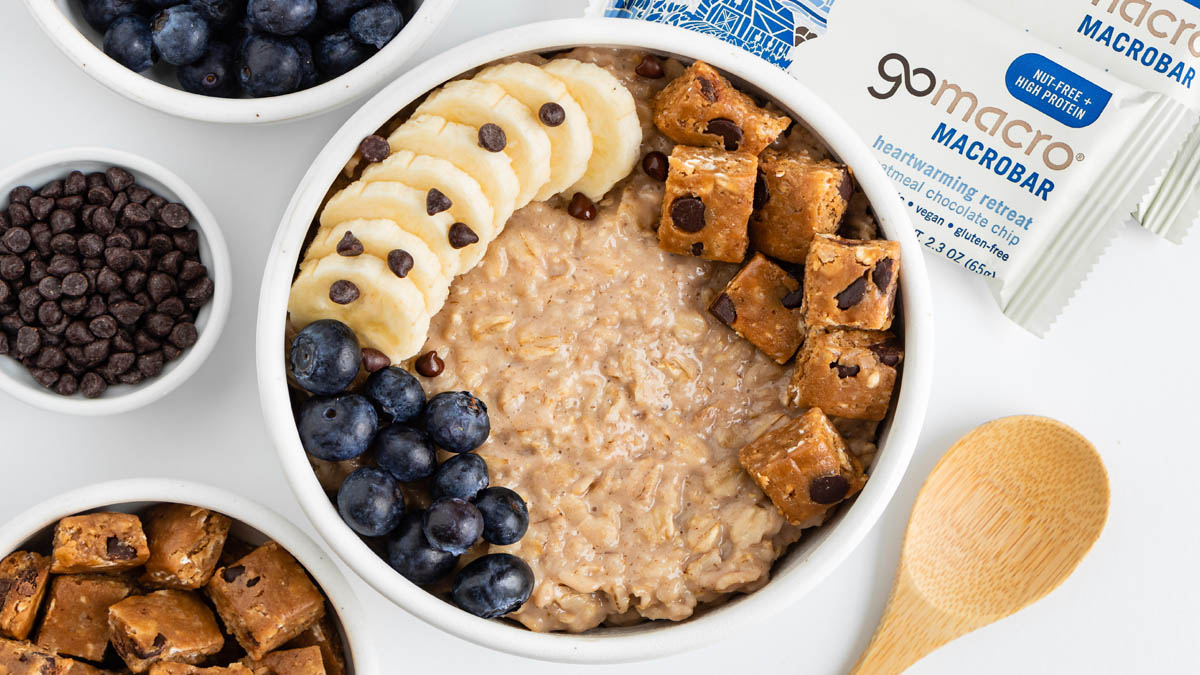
(39, 170)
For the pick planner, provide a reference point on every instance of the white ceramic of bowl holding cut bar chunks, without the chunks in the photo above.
(254, 523)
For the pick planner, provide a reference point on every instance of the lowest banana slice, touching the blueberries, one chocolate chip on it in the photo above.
(388, 314)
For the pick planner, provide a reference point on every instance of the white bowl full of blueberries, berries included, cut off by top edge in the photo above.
(241, 62)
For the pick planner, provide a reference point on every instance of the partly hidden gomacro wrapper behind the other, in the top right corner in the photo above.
(1154, 44)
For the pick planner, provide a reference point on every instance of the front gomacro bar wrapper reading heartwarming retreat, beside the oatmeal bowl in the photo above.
(1018, 160)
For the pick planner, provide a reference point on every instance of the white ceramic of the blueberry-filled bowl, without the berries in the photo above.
(63, 22)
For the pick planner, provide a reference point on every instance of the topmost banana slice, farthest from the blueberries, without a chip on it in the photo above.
(613, 118)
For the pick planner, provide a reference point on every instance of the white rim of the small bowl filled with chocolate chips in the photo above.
(220, 271)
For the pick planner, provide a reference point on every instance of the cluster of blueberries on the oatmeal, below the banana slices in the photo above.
(386, 431)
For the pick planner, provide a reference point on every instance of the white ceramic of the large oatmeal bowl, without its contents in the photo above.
(796, 574)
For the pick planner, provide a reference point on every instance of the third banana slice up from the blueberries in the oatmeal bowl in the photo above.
(406, 207)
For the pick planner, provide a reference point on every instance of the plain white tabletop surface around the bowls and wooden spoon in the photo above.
(1123, 366)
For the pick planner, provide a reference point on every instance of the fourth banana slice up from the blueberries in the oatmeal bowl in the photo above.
(469, 205)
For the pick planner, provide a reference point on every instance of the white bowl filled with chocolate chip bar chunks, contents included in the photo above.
(167, 577)
